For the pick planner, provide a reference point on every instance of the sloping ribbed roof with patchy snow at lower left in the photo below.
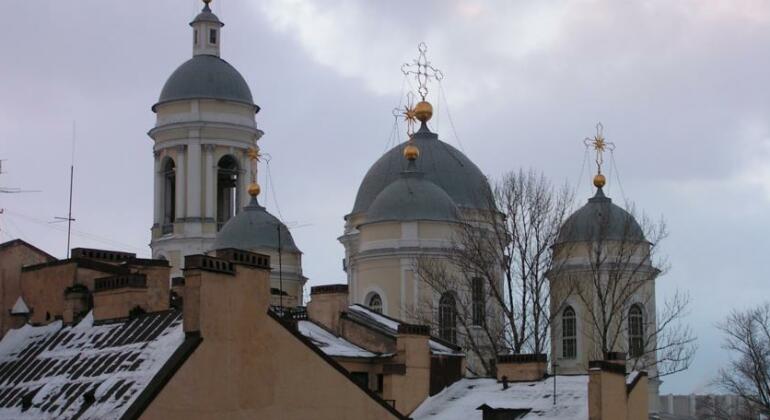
(84, 371)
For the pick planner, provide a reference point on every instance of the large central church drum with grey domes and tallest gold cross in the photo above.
(409, 205)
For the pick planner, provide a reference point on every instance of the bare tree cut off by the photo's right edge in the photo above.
(748, 341)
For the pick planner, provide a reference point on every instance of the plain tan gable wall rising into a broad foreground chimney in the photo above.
(249, 366)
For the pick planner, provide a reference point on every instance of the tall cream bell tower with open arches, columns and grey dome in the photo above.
(205, 125)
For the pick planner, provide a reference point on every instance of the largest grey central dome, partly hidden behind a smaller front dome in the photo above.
(442, 164)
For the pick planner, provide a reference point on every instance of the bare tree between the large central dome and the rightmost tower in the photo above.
(496, 268)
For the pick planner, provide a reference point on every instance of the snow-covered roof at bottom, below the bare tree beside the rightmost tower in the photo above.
(461, 400)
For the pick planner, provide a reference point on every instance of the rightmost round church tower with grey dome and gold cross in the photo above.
(603, 287)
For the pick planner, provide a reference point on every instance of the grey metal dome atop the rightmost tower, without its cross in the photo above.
(600, 220)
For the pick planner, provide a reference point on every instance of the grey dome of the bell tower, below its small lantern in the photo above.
(206, 77)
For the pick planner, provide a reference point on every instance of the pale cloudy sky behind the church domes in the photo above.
(680, 86)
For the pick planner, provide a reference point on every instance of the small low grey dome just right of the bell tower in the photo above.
(254, 229)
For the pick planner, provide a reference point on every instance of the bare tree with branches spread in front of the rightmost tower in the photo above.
(615, 264)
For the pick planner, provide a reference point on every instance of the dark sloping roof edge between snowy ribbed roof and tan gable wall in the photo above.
(164, 375)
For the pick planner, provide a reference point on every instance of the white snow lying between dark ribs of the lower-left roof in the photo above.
(145, 358)
